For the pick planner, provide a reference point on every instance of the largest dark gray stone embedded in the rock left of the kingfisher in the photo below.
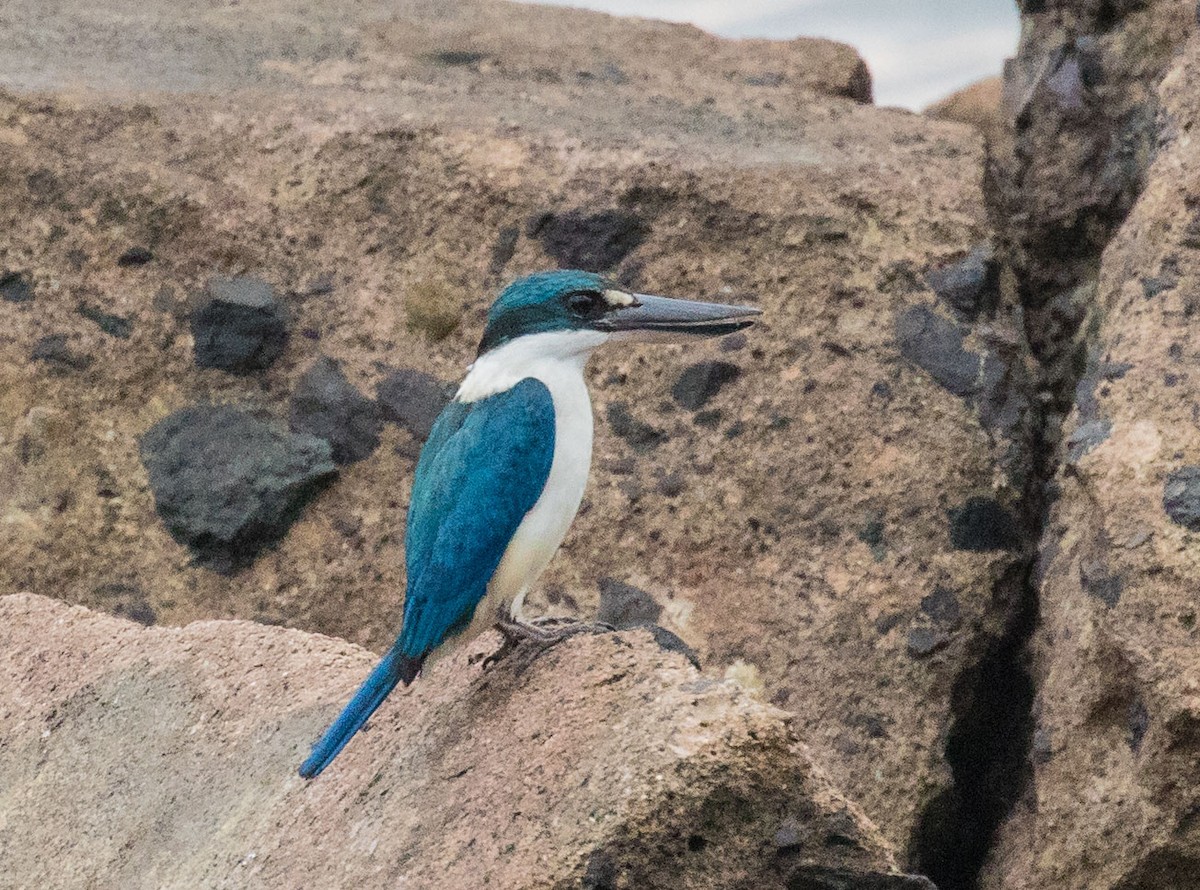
(229, 485)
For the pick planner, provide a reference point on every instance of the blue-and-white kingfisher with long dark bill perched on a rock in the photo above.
(503, 471)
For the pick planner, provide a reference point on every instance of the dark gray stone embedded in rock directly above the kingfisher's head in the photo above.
(596, 243)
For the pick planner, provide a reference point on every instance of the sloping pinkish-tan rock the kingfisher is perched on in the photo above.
(647, 774)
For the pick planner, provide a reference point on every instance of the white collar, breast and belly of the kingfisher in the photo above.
(557, 359)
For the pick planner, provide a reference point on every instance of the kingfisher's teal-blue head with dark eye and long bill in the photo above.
(571, 302)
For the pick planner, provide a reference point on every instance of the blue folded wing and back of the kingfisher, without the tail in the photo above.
(482, 471)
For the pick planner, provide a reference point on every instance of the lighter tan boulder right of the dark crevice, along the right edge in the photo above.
(1114, 795)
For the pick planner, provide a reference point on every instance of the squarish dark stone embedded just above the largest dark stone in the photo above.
(239, 327)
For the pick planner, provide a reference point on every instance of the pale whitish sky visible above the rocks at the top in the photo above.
(919, 51)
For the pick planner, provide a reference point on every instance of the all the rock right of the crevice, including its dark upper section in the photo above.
(1117, 650)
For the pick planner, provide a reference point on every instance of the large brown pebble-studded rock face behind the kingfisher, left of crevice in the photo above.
(793, 526)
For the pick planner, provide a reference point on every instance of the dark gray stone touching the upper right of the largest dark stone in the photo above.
(327, 406)
